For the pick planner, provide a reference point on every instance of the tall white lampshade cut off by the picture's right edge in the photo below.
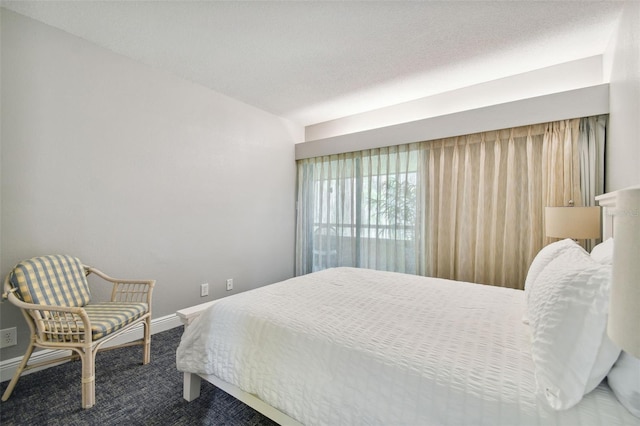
(624, 311)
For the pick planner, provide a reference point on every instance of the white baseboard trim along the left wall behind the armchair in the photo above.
(8, 367)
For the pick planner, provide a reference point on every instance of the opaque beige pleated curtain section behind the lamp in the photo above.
(485, 195)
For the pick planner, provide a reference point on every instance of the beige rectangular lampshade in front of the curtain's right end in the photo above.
(578, 223)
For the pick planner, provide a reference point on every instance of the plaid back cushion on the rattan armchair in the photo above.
(57, 280)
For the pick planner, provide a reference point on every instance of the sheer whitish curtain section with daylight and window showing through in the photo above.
(358, 209)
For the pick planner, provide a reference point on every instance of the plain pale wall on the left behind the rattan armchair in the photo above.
(137, 172)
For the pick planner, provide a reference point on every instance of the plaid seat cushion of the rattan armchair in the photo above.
(111, 316)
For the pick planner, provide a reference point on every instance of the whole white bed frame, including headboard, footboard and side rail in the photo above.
(192, 381)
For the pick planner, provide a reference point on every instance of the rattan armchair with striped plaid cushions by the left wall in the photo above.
(53, 294)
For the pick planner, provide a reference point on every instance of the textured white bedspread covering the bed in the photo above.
(352, 346)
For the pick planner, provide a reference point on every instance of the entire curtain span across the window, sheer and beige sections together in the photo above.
(467, 208)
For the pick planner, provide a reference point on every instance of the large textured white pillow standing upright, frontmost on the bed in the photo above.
(568, 310)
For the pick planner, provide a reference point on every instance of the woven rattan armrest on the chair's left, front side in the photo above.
(60, 324)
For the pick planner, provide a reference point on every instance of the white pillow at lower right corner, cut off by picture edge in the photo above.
(624, 380)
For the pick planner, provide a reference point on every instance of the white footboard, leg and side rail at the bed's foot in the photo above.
(192, 382)
